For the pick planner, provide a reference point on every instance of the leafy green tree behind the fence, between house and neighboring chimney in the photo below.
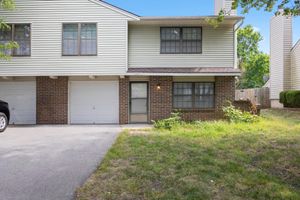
(253, 63)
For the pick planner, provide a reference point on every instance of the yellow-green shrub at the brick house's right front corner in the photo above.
(235, 115)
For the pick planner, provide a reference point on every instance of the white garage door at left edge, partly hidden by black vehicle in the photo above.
(21, 97)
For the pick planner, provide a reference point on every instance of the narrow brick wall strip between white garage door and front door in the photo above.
(124, 100)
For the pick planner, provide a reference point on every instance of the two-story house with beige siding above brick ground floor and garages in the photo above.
(88, 62)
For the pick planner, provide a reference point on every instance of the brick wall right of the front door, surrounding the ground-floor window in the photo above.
(161, 100)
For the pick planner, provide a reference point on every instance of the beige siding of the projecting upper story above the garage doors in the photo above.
(46, 18)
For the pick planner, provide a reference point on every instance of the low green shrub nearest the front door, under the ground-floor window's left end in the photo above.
(169, 123)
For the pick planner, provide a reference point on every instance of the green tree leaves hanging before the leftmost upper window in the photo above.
(6, 47)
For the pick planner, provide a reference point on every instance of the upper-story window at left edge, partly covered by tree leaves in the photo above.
(20, 33)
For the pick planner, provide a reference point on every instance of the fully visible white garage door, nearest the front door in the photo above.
(94, 102)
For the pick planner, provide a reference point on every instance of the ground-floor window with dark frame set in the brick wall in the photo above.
(193, 95)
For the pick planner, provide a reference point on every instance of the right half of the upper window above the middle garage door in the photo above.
(88, 42)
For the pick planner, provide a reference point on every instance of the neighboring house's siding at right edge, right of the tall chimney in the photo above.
(296, 66)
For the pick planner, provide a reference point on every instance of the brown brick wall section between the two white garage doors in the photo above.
(52, 100)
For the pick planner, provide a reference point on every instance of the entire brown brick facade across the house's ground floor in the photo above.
(52, 100)
